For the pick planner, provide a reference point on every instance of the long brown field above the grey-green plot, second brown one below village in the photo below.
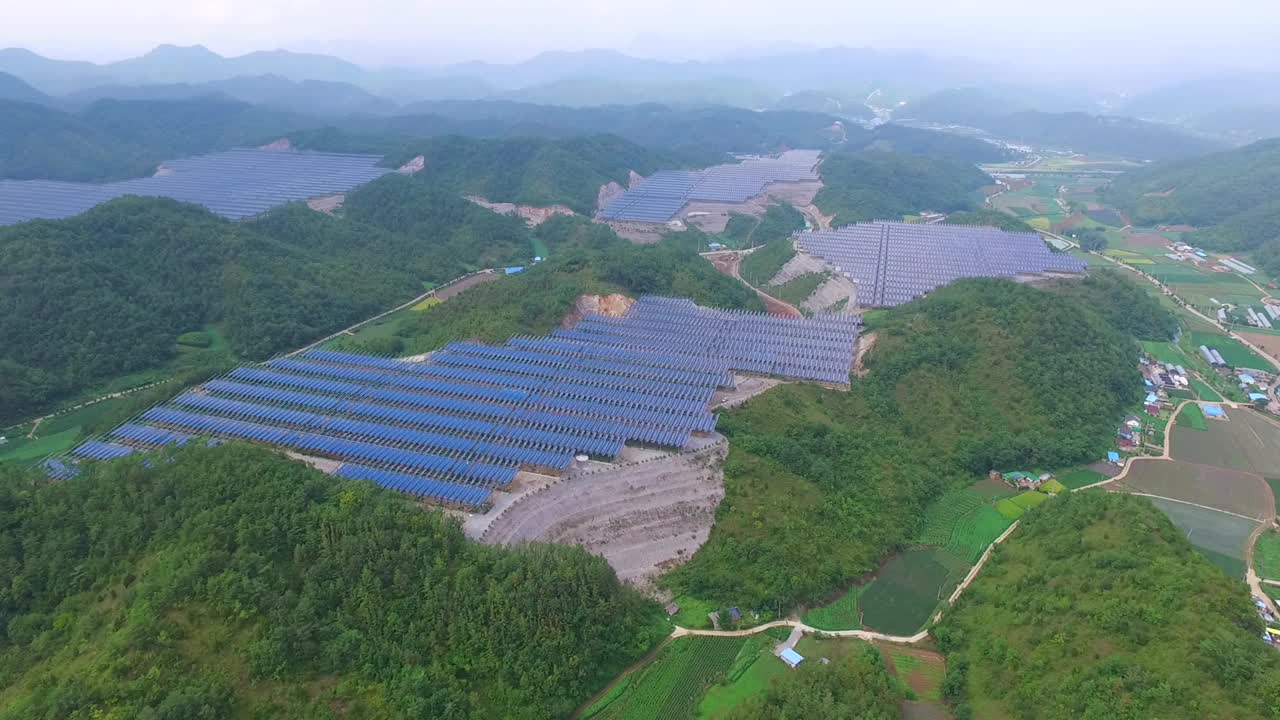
(1233, 491)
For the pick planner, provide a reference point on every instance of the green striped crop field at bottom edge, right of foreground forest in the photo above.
(671, 687)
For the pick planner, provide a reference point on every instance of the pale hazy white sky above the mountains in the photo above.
(377, 33)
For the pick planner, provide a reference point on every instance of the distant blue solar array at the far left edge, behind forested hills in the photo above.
(236, 184)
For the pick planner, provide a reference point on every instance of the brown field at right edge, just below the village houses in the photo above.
(1247, 443)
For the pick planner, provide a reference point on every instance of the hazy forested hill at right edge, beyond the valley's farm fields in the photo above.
(1231, 197)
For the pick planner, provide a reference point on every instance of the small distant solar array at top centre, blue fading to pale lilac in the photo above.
(661, 197)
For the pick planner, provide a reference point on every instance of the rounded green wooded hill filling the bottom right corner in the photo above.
(1098, 608)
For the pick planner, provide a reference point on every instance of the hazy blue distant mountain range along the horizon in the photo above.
(580, 79)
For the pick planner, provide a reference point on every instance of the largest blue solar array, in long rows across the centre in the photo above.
(463, 423)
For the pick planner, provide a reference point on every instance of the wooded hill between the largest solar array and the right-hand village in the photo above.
(980, 376)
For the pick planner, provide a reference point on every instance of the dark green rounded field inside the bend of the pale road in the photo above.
(904, 594)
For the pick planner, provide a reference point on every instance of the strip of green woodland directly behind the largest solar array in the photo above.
(587, 259)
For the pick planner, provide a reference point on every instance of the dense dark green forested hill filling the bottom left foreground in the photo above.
(232, 584)
